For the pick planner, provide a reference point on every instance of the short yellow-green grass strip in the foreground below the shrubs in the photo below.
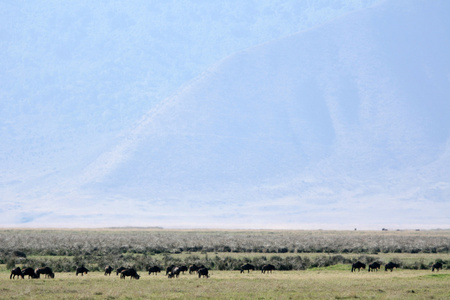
(324, 283)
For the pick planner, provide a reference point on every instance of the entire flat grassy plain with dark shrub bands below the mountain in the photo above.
(65, 249)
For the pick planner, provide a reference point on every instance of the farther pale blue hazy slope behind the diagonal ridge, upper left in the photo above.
(78, 73)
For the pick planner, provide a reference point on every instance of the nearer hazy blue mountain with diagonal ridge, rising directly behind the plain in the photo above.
(342, 125)
